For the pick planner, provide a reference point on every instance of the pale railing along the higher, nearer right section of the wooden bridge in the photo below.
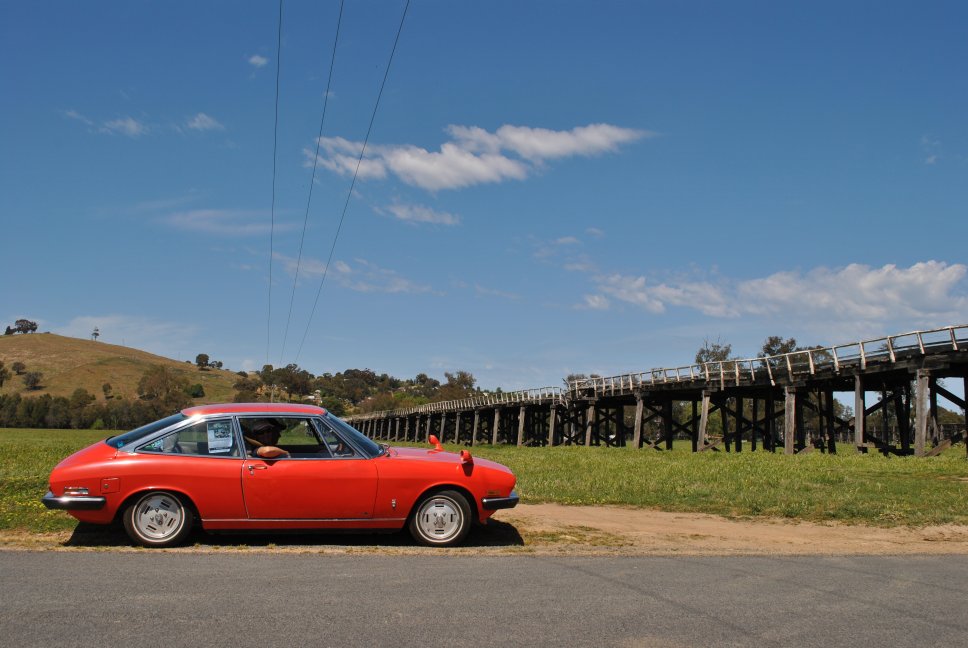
(784, 367)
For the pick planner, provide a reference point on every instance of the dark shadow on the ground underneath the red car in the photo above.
(494, 534)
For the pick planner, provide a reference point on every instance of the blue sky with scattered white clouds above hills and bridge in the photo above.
(549, 187)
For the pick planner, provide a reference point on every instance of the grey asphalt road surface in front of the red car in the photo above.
(263, 599)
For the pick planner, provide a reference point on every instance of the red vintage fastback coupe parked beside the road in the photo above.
(270, 466)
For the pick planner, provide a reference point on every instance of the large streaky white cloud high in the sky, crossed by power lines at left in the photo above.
(474, 156)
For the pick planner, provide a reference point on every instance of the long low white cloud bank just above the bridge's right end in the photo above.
(924, 294)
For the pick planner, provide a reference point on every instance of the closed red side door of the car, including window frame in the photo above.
(313, 483)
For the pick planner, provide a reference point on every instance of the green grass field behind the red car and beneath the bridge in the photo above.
(851, 488)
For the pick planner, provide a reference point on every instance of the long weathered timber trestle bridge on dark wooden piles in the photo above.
(764, 401)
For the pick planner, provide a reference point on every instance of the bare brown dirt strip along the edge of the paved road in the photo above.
(566, 530)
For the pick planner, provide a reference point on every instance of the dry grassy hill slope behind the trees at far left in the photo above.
(68, 363)
